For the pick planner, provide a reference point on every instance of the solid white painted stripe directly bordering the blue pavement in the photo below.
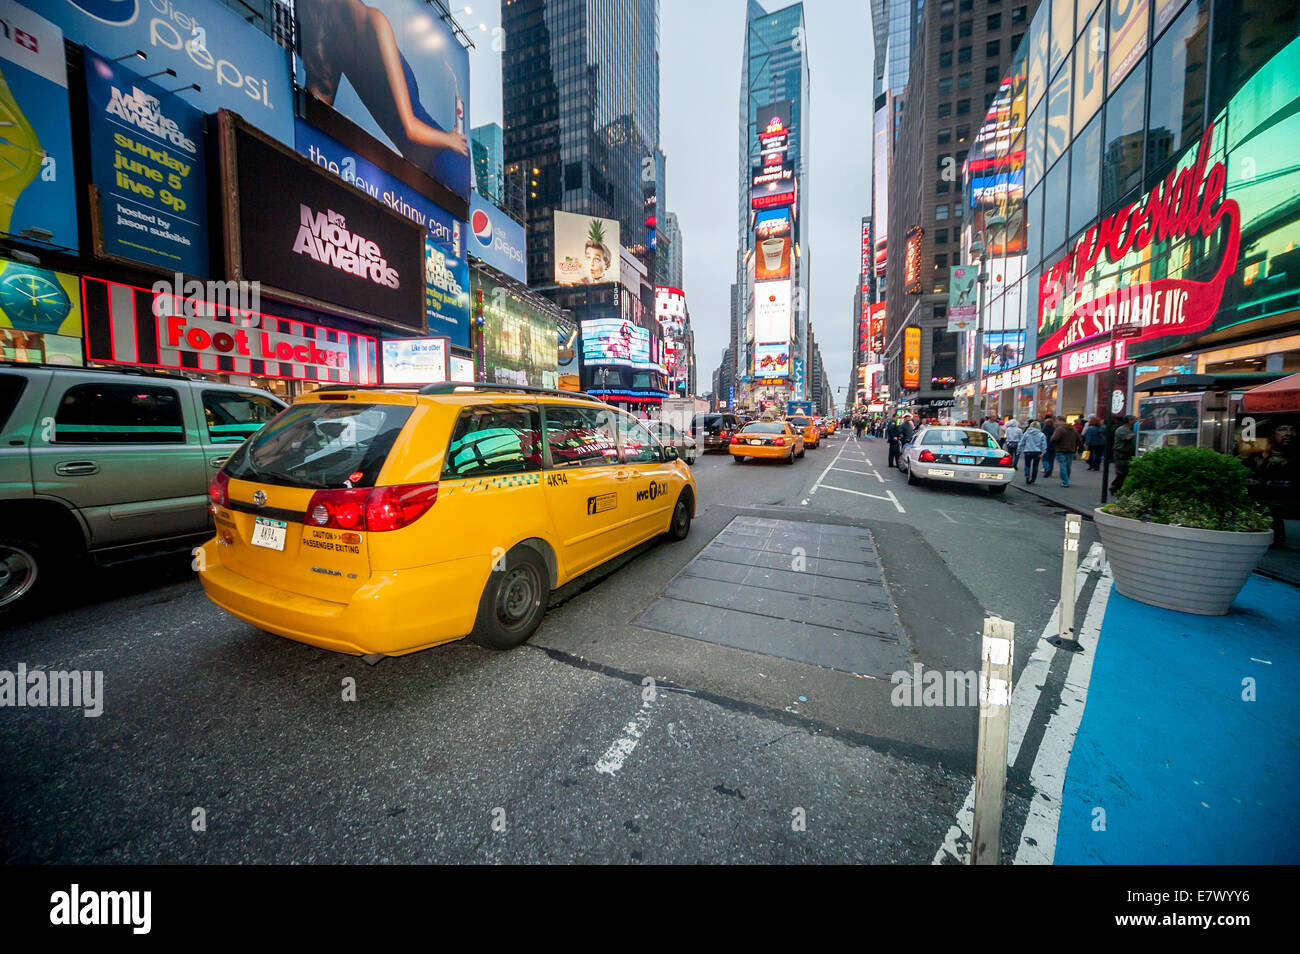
(1038, 840)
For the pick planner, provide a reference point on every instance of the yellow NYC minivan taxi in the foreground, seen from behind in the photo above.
(385, 521)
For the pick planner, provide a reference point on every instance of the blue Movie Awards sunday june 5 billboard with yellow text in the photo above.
(146, 151)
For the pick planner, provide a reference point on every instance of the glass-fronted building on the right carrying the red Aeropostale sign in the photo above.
(1149, 175)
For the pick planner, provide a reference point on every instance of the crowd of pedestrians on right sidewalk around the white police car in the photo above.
(1050, 445)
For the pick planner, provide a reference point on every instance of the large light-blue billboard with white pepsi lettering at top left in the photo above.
(233, 64)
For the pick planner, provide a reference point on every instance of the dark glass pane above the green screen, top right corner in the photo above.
(1247, 34)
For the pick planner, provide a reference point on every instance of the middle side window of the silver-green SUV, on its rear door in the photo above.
(120, 414)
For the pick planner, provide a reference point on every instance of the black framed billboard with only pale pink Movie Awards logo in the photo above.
(322, 240)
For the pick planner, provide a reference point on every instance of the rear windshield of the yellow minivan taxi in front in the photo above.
(322, 446)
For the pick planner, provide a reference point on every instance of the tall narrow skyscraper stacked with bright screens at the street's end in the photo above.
(773, 257)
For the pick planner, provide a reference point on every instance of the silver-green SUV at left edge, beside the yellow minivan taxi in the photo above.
(109, 463)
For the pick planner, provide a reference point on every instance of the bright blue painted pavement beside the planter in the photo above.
(1189, 751)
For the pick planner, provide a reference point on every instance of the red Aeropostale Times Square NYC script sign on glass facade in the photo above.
(1189, 203)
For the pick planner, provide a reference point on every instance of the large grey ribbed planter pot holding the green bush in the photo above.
(1178, 567)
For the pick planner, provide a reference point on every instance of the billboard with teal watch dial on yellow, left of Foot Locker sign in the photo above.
(41, 315)
